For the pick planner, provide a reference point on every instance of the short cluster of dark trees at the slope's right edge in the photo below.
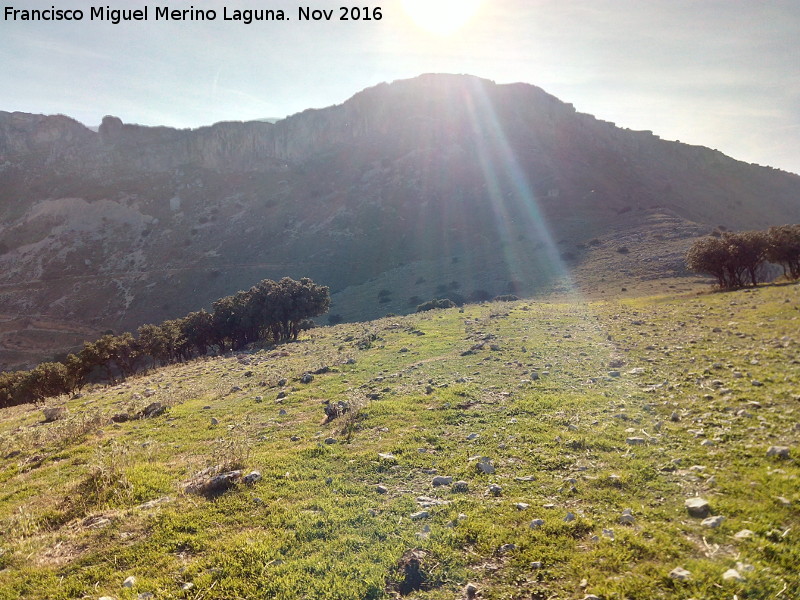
(738, 259)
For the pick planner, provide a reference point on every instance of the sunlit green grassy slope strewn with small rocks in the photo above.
(71, 492)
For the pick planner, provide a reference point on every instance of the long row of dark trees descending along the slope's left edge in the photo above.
(269, 311)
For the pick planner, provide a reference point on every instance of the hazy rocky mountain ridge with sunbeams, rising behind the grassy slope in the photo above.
(438, 185)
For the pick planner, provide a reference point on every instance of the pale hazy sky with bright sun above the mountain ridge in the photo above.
(720, 73)
